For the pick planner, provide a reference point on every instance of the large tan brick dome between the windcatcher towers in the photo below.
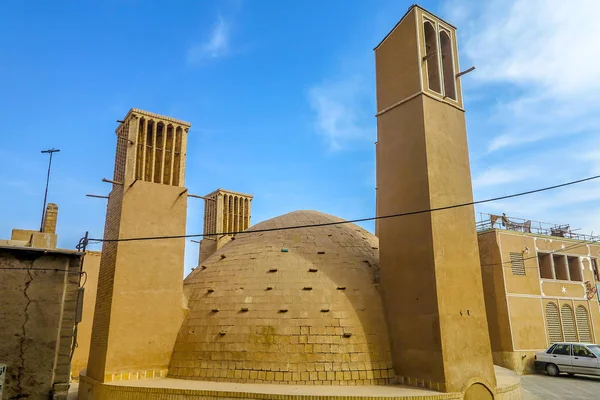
(287, 306)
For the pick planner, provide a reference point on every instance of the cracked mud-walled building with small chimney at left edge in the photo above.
(41, 306)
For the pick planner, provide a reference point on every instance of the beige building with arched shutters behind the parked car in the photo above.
(540, 283)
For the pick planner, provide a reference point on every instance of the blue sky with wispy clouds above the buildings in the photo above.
(281, 98)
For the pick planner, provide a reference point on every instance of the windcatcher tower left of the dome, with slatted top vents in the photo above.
(139, 302)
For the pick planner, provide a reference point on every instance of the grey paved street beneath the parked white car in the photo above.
(564, 387)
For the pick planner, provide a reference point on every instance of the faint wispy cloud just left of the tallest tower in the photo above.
(341, 113)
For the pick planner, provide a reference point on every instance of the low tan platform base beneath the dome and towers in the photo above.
(509, 388)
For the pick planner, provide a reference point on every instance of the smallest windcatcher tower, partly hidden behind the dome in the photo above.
(224, 211)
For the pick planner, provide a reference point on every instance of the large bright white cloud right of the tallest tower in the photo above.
(545, 52)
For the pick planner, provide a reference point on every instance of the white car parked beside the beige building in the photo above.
(572, 358)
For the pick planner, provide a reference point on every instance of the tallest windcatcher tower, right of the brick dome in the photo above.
(429, 262)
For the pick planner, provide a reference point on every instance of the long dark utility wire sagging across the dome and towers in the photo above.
(354, 220)
